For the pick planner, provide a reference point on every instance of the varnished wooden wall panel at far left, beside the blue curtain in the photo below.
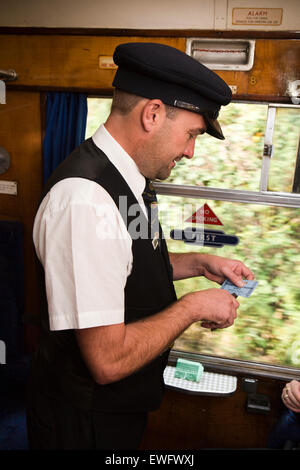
(20, 134)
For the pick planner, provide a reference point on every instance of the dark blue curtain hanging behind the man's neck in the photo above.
(66, 116)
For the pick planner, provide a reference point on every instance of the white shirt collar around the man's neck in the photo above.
(121, 160)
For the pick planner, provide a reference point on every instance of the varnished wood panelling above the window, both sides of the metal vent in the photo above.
(72, 62)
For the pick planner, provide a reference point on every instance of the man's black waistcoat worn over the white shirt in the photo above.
(58, 368)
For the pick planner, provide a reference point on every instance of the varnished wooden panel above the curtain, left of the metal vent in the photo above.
(64, 61)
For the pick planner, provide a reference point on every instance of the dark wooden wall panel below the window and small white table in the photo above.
(186, 421)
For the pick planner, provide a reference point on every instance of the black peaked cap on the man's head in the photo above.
(154, 70)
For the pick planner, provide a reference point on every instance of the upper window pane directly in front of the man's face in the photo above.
(234, 163)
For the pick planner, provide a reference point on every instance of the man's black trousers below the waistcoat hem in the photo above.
(55, 424)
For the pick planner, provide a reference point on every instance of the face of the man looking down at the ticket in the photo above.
(173, 141)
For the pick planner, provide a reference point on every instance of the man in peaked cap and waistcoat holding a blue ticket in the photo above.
(111, 310)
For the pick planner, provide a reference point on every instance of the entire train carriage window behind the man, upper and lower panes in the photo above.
(251, 182)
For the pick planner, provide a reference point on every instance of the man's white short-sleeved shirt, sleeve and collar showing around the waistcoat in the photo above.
(83, 244)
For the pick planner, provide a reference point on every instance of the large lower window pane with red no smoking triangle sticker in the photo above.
(268, 324)
